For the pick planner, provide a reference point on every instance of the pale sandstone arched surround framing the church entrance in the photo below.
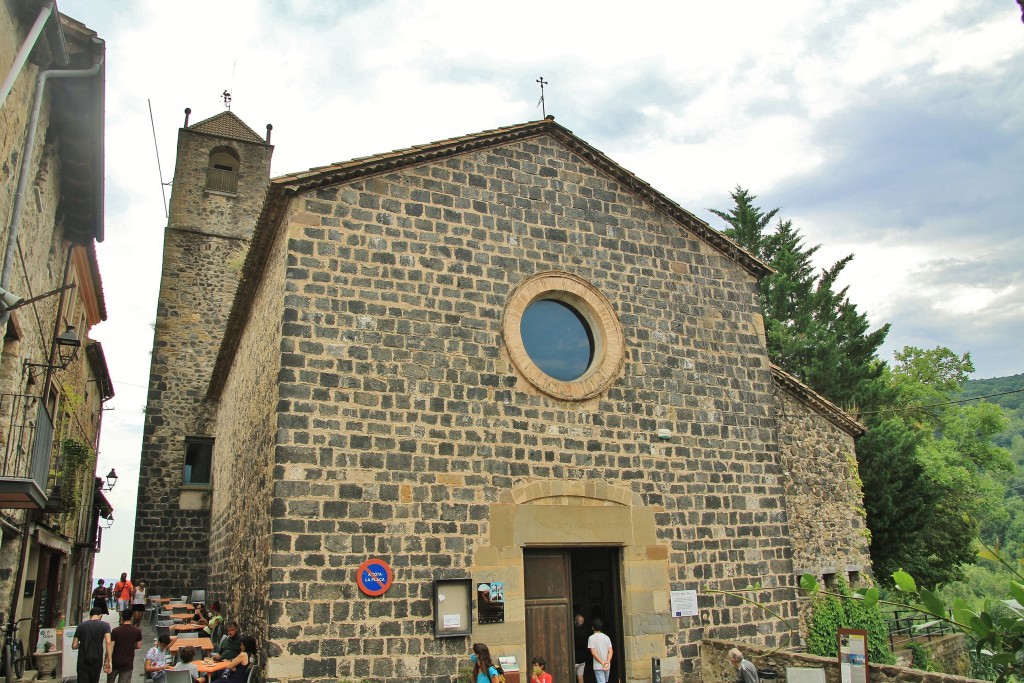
(569, 517)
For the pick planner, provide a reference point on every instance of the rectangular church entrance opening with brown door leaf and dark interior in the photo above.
(561, 582)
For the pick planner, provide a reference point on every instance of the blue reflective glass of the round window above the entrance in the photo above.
(558, 339)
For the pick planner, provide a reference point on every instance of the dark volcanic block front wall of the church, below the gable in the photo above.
(402, 420)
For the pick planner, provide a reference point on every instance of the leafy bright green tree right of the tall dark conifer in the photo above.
(932, 475)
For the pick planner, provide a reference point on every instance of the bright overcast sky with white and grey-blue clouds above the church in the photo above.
(892, 131)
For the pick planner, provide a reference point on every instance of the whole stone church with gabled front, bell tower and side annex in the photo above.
(369, 392)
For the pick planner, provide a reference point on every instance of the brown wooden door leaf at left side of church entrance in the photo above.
(549, 612)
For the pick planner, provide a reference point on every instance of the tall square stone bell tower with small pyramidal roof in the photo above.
(222, 175)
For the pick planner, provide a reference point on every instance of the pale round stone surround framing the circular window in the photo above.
(601, 317)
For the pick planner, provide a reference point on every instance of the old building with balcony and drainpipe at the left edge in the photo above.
(54, 379)
